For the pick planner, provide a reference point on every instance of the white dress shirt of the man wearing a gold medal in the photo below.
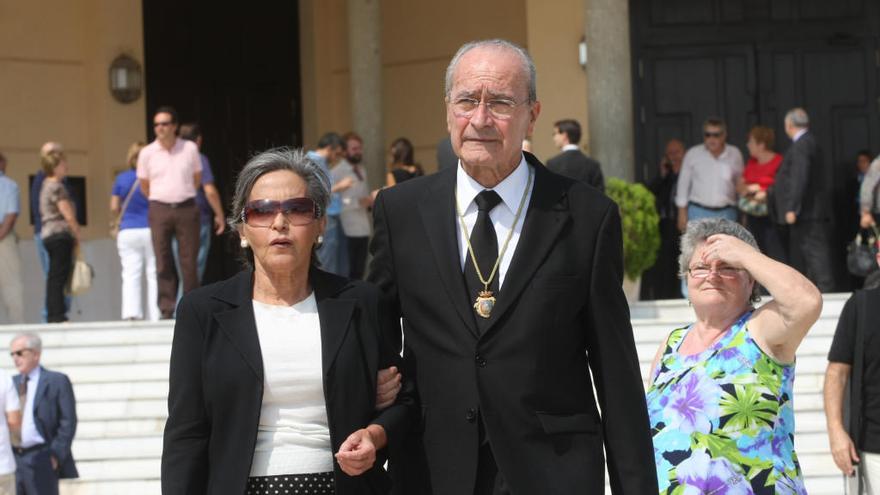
(511, 191)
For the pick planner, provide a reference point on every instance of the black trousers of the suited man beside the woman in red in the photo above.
(810, 252)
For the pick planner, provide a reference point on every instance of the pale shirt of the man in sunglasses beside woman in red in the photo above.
(709, 180)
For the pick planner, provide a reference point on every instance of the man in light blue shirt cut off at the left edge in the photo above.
(10, 265)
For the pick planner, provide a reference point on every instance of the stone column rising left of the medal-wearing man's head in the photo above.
(365, 64)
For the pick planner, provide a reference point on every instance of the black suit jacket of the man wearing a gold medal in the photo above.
(560, 311)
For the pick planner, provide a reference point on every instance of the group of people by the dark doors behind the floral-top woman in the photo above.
(785, 200)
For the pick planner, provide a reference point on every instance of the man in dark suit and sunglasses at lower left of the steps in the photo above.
(48, 421)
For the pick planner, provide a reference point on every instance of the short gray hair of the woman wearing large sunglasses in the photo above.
(295, 160)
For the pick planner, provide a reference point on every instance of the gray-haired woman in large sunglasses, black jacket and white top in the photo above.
(273, 371)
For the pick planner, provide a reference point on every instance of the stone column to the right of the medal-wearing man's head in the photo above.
(609, 86)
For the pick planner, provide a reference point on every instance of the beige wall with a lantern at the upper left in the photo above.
(54, 61)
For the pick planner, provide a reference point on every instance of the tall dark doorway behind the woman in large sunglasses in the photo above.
(234, 69)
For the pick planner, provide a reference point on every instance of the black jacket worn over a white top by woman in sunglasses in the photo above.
(216, 383)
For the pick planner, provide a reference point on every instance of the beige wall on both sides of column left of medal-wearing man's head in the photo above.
(418, 39)
